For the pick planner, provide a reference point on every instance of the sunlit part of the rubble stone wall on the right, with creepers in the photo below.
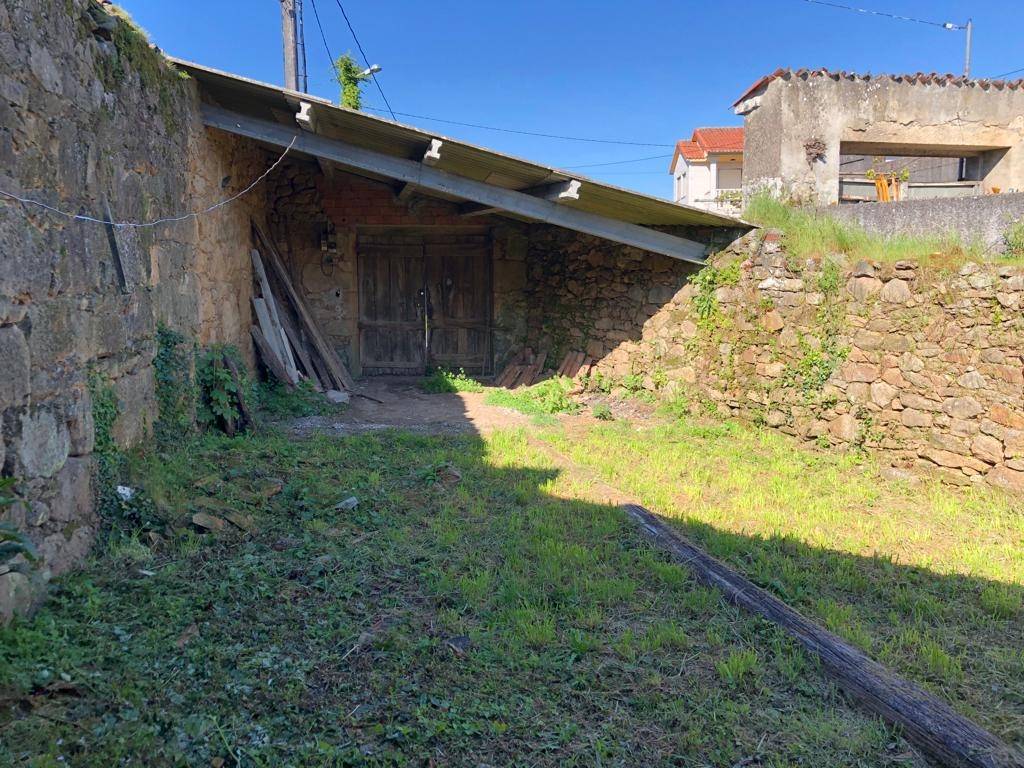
(921, 365)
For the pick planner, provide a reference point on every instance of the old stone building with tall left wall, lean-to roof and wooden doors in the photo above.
(411, 249)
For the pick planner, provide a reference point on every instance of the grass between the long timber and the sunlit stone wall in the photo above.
(927, 579)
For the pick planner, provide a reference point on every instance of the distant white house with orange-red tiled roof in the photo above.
(708, 170)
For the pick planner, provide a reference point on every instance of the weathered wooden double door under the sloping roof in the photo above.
(424, 302)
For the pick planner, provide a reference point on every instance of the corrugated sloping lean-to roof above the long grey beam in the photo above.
(274, 103)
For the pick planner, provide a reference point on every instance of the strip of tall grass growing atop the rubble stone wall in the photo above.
(809, 234)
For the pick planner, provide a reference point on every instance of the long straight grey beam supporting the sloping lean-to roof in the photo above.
(435, 180)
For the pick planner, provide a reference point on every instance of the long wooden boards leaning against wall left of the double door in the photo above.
(289, 342)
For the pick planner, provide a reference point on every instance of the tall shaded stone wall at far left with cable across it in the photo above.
(93, 120)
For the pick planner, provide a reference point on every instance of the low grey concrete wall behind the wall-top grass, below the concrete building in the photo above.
(984, 221)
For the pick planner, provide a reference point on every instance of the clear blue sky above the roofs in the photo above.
(647, 71)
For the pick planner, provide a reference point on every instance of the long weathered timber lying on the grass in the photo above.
(928, 722)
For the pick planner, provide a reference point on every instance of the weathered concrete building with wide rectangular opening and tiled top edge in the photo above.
(799, 126)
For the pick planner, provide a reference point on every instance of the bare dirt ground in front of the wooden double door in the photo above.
(398, 403)
